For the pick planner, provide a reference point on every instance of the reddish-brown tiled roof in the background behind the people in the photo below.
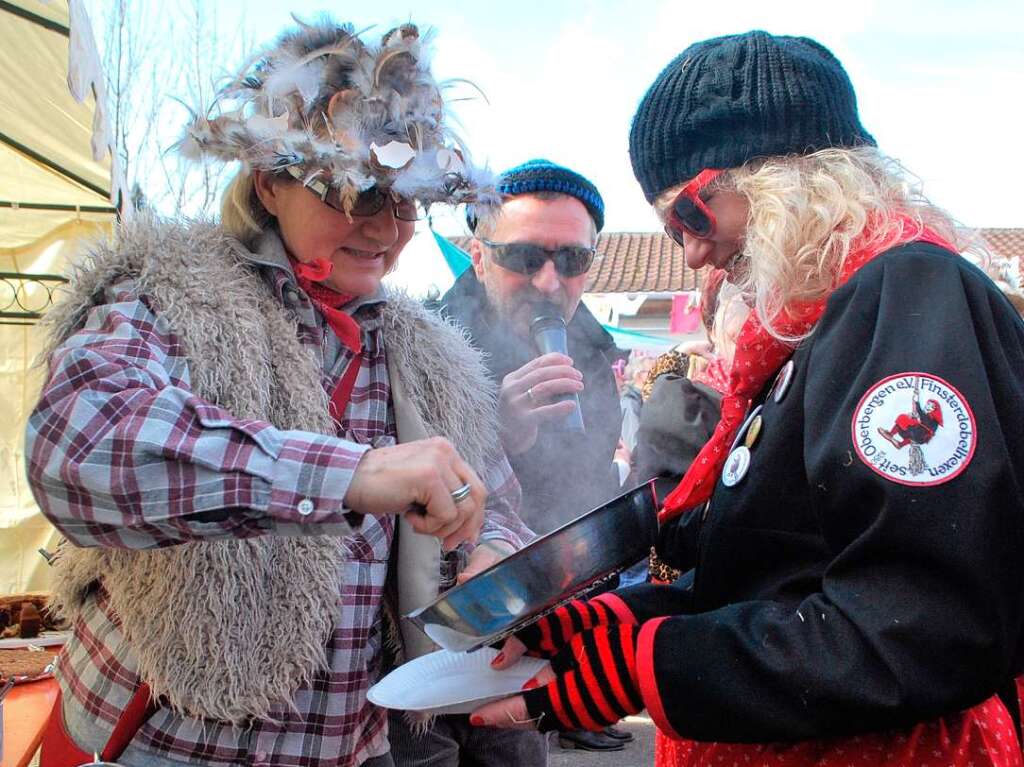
(651, 262)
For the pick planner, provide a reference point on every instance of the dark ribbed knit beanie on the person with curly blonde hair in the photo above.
(724, 102)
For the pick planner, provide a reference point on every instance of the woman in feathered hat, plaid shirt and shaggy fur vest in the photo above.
(242, 429)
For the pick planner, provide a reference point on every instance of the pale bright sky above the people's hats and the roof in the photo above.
(940, 83)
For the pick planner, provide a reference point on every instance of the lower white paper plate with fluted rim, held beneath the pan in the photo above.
(447, 683)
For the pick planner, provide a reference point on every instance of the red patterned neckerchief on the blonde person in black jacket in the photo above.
(758, 357)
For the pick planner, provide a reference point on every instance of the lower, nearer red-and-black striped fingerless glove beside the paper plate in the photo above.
(596, 685)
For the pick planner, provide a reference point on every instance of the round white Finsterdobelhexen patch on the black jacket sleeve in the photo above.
(916, 430)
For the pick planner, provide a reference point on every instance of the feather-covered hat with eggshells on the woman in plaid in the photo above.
(335, 112)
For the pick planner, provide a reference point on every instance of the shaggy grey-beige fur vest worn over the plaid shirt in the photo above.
(206, 621)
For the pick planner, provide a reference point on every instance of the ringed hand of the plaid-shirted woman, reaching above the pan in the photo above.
(418, 480)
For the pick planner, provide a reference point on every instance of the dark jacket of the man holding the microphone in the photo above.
(563, 476)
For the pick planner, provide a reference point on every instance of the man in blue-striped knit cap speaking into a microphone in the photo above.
(536, 251)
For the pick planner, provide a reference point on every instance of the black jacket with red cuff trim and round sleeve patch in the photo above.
(828, 599)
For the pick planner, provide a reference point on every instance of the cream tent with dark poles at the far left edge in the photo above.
(56, 190)
